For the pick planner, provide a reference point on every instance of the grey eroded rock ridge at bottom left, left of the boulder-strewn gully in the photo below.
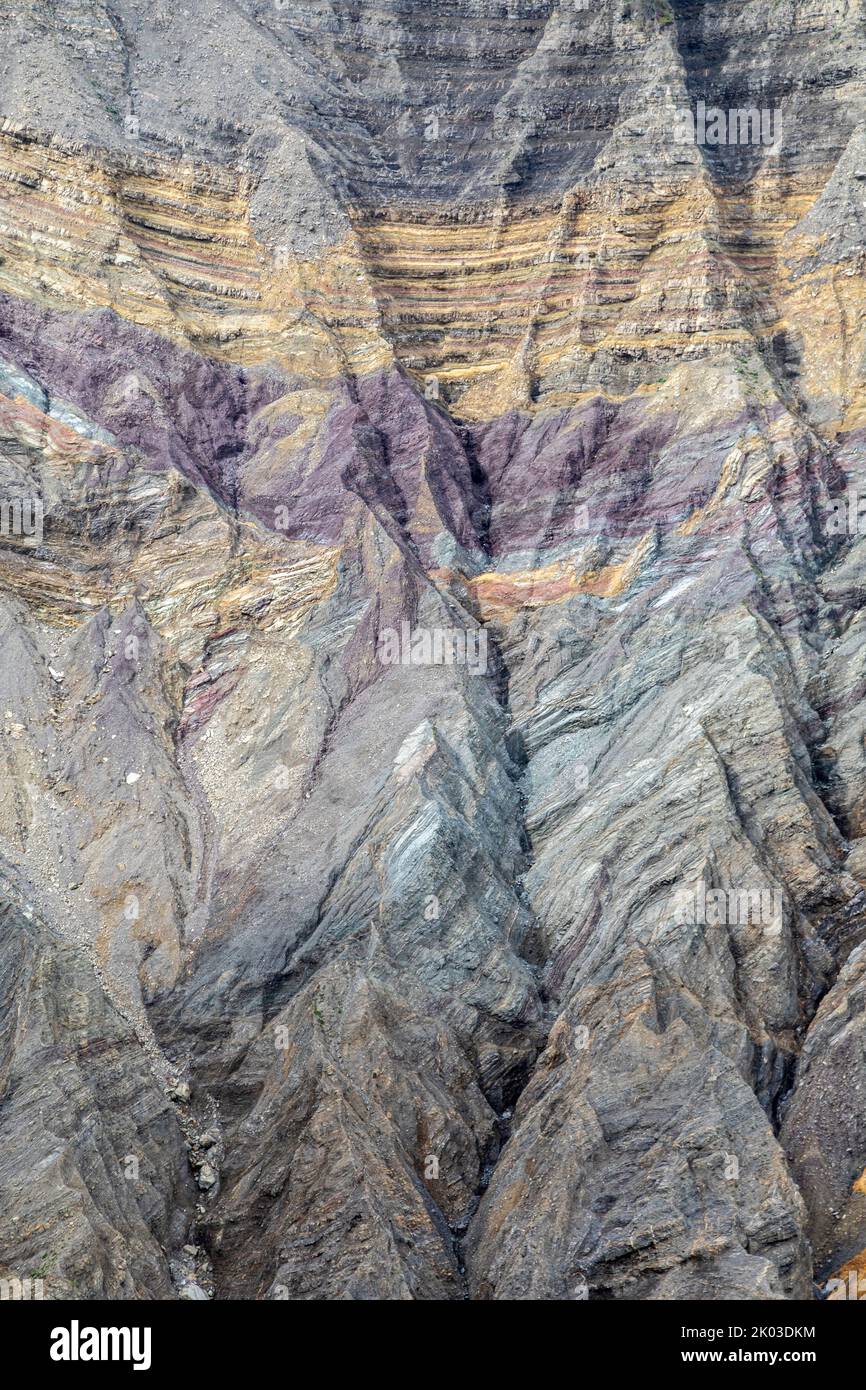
(95, 1172)
